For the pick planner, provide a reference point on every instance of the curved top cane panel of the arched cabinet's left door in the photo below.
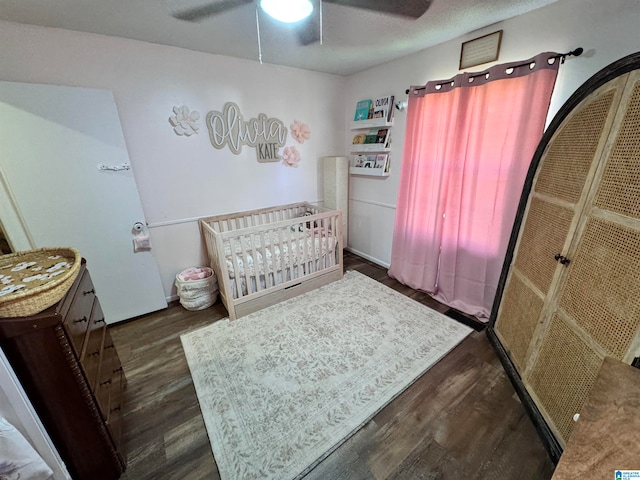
(570, 154)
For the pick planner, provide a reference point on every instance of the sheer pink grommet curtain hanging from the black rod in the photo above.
(468, 145)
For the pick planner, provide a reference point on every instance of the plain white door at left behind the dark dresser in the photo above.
(52, 140)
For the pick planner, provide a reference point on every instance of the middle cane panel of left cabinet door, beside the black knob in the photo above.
(545, 230)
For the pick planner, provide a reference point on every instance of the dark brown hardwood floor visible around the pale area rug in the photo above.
(461, 419)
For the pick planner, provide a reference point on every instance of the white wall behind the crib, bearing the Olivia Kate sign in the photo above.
(181, 178)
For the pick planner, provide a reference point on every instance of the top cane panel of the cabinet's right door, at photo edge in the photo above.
(619, 189)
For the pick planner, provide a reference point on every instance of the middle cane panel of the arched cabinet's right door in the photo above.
(602, 293)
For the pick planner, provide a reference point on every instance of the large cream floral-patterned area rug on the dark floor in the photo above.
(282, 388)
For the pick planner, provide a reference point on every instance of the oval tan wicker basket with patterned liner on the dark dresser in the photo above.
(31, 300)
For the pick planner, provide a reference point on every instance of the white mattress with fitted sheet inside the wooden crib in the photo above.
(274, 257)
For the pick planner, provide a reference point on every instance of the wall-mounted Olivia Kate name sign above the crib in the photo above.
(266, 135)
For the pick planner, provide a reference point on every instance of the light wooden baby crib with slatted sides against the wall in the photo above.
(264, 256)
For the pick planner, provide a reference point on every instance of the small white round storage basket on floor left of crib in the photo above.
(197, 288)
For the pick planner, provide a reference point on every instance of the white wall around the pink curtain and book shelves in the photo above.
(607, 30)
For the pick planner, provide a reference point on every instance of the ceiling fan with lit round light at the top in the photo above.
(309, 29)
